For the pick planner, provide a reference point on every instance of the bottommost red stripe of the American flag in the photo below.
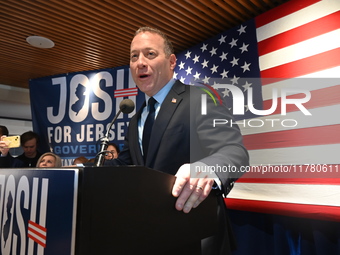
(331, 213)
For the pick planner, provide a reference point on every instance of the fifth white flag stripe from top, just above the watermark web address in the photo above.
(317, 154)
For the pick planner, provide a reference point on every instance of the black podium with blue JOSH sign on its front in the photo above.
(96, 210)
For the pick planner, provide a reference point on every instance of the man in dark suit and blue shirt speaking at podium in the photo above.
(183, 141)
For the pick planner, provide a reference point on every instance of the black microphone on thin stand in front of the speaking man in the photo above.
(126, 106)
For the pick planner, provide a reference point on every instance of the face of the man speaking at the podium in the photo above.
(150, 68)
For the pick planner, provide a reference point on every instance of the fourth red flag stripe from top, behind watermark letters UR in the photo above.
(319, 98)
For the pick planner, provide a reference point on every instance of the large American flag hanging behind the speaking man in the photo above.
(296, 45)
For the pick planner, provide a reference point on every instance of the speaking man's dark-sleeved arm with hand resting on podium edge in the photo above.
(226, 154)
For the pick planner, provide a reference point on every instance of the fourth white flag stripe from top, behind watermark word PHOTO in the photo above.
(322, 116)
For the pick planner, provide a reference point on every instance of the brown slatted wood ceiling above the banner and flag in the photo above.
(90, 35)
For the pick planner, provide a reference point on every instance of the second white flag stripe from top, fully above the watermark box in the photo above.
(305, 49)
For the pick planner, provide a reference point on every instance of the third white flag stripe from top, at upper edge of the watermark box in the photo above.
(302, 84)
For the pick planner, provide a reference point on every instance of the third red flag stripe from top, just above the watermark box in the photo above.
(319, 62)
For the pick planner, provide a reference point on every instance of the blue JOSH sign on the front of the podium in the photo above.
(38, 211)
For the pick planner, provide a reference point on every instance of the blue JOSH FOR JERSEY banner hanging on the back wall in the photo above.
(71, 112)
